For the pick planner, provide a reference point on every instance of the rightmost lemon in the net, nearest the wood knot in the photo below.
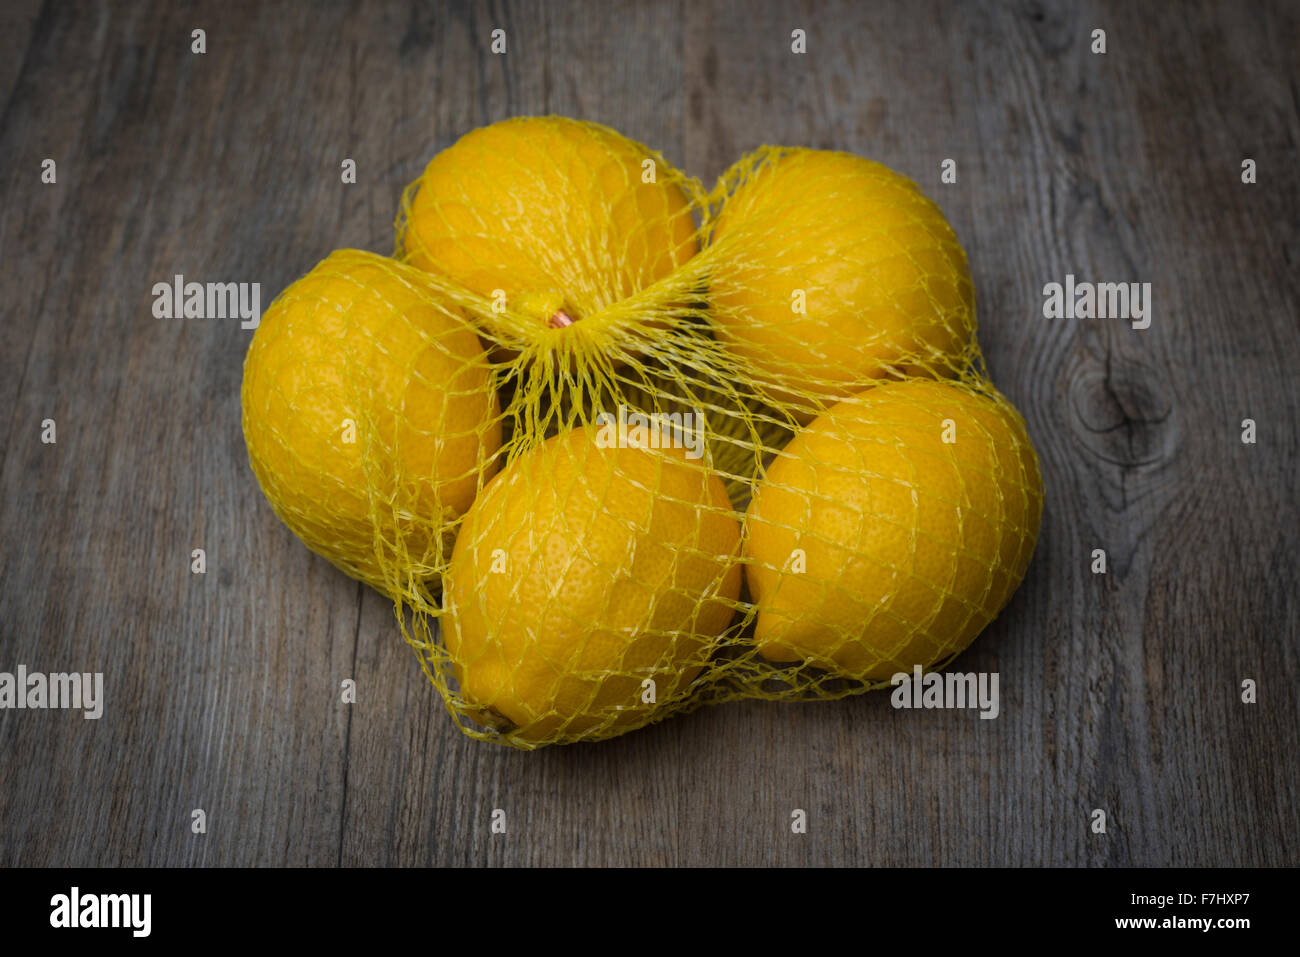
(874, 545)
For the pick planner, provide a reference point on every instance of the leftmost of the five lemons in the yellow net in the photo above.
(369, 413)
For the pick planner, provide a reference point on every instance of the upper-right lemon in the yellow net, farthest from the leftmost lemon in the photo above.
(834, 271)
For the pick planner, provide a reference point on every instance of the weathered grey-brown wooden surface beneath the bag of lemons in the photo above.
(1120, 692)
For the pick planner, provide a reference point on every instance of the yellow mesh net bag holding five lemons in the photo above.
(619, 447)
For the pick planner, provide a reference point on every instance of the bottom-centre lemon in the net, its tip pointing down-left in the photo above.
(580, 574)
